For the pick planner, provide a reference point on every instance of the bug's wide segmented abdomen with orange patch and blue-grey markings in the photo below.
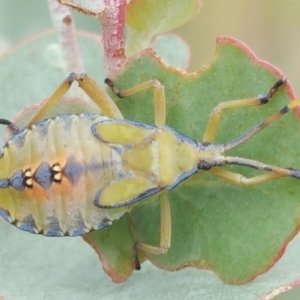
(50, 174)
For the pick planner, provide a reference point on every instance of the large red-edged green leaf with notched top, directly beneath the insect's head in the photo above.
(217, 225)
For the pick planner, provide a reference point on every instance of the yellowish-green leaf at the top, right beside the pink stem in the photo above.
(141, 15)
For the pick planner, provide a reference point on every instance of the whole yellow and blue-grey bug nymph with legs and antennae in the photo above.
(71, 174)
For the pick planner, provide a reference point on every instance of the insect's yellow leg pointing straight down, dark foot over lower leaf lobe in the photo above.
(165, 233)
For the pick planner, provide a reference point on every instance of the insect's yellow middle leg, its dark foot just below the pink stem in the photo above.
(159, 97)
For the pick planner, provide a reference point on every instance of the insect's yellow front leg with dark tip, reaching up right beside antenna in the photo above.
(216, 114)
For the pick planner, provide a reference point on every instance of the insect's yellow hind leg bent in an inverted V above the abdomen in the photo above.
(90, 87)
